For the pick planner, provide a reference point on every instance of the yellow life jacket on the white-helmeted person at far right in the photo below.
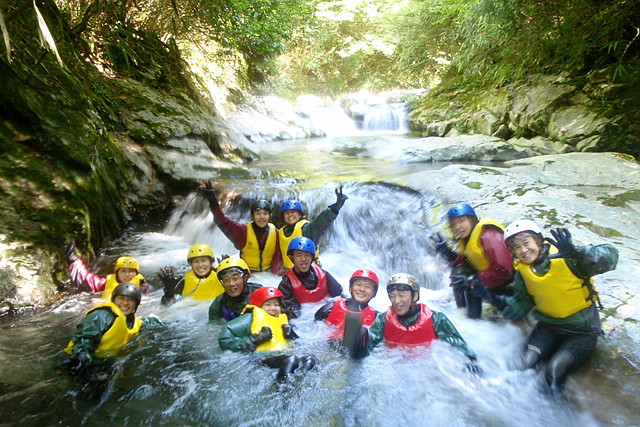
(559, 293)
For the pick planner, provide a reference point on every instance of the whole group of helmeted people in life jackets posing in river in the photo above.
(515, 269)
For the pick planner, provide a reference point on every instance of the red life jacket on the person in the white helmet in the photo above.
(420, 333)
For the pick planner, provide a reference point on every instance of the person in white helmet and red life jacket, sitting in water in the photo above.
(409, 323)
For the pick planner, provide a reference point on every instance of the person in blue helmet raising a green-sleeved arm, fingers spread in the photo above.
(296, 226)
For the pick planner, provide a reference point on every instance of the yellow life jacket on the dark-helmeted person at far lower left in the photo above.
(116, 336)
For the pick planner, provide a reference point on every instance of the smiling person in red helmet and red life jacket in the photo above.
(363, 286)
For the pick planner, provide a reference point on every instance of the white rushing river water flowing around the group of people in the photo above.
(179, 376)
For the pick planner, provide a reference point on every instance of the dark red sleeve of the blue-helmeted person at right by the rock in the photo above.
(500, 263)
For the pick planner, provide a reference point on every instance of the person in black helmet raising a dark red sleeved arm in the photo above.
(256, 240)
